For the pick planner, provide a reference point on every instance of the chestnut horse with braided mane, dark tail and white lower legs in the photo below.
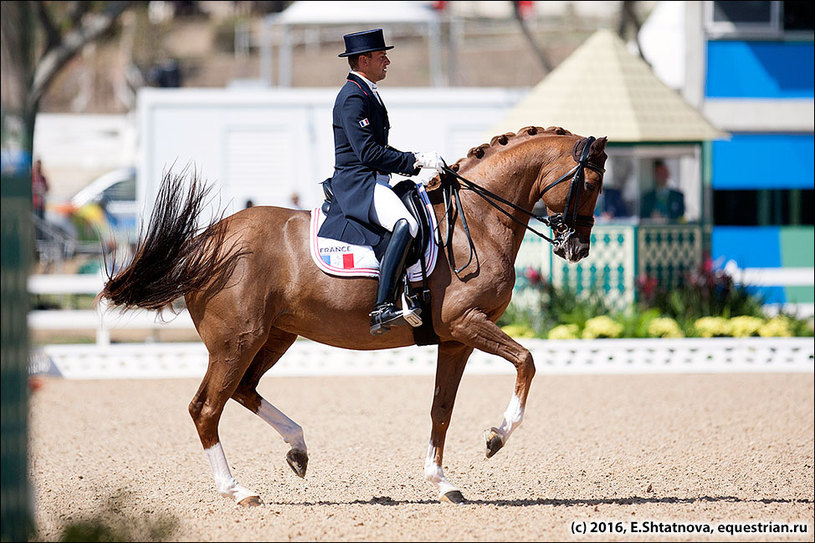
(251, 288)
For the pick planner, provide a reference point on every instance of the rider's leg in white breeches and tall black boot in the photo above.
(392, 214)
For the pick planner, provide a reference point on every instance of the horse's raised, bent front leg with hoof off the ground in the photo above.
(476, 330)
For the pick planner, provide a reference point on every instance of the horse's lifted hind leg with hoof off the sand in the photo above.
(247, 395)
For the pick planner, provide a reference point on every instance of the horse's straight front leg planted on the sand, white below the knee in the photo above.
(452, 358)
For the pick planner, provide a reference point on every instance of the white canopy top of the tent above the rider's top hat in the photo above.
(333, 12)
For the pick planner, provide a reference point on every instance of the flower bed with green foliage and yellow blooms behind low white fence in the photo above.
(708, 303)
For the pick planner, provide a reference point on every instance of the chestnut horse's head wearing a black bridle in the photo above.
(569, 186)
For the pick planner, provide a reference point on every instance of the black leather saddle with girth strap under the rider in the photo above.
(408, 192)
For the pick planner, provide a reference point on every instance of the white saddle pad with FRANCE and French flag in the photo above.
(346, 260)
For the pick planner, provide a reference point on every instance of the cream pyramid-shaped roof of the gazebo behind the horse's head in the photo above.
(604, 90)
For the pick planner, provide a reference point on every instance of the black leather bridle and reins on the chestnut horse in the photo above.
(562, 224)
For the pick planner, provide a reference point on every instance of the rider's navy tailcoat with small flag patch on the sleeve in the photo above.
(360, 151)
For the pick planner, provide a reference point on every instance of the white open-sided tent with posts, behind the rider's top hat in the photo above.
(363, 14)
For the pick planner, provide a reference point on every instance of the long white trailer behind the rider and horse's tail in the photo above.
(264, 145)
